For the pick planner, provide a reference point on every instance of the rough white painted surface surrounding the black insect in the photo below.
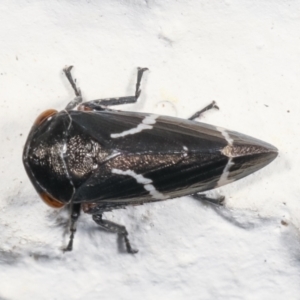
(243, 54)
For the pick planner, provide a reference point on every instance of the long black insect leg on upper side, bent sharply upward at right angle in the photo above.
(98, 104)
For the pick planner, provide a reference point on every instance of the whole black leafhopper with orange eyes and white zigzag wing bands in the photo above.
(96, 159)
